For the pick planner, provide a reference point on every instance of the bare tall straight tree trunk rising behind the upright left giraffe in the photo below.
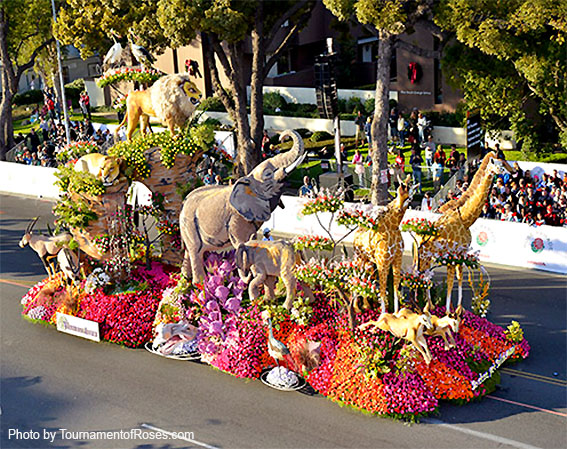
(379, 189)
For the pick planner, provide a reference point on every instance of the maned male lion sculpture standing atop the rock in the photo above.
(172, 99)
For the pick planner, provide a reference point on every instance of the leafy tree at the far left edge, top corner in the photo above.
(25, 31)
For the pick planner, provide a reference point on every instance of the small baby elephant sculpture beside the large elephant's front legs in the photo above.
(264, 262)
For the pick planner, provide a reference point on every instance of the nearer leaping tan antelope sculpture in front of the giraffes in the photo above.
(407, 325)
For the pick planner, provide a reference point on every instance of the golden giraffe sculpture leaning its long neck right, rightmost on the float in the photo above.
(456, 219)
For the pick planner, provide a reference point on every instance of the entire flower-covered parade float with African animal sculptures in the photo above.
(203, 289)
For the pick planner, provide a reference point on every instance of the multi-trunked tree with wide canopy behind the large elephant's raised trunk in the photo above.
(224, 27)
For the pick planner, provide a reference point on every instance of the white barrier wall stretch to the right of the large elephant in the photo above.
(506, 243)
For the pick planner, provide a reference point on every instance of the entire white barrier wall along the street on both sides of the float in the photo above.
(513, 244)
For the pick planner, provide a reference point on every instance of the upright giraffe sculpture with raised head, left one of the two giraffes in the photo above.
(384, 246)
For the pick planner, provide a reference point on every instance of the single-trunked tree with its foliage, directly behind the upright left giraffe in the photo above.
(387, 20)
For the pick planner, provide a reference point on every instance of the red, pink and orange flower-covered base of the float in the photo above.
(372, 371)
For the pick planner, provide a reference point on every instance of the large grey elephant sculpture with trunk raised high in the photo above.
(214, 217)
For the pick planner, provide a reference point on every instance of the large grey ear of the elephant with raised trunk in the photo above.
(250, 200)
